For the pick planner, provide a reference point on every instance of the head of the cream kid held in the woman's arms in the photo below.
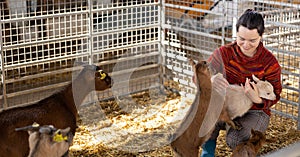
(265, 89)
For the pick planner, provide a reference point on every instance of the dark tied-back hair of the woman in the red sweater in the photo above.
(252, 20)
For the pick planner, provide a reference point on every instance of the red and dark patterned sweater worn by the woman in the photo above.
(236, 67)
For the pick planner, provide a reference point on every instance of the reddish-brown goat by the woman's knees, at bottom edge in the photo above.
(251, 147)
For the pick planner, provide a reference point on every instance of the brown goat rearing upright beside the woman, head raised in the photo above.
(188, 142)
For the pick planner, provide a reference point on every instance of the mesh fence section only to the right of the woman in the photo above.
(282, 38)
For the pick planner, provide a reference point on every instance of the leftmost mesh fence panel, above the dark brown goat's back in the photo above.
(40, 40)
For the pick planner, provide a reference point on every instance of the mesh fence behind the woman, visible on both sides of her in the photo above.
(196, 28)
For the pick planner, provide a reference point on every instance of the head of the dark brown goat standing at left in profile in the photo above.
(94, 74)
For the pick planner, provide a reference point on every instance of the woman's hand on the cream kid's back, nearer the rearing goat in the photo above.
(219, 83)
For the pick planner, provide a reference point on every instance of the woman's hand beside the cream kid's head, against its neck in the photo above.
(252, 93)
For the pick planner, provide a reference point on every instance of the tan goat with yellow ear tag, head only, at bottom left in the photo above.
(47, 141)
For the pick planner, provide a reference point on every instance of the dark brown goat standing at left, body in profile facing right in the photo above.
(58, 109)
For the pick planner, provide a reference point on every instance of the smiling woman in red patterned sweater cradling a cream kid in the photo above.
(238, 61)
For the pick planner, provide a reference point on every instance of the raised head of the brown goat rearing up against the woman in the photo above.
(201, 71)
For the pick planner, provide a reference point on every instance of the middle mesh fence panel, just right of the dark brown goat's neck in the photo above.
(126, 38)
